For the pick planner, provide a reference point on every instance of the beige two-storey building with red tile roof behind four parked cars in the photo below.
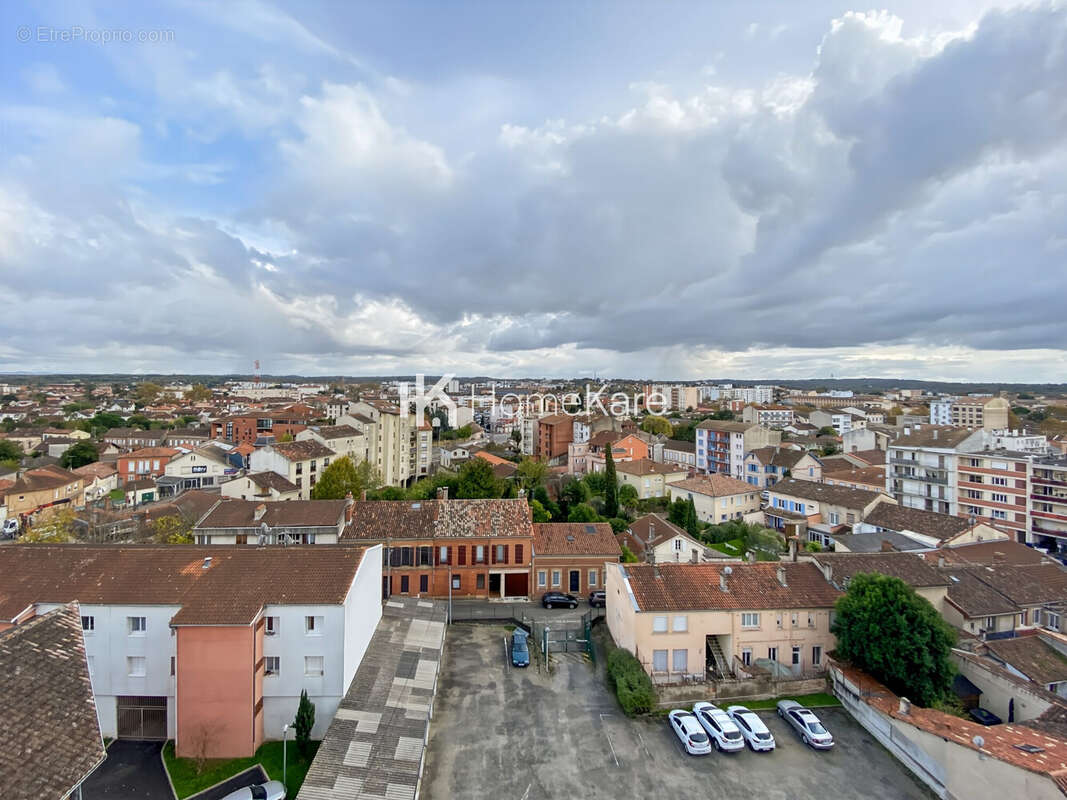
(708, 621)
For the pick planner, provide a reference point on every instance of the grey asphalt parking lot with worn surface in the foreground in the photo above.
(524, 734)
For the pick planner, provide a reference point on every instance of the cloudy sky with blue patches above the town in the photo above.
(671, 190)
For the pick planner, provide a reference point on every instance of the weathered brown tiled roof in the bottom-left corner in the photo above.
(51, 740)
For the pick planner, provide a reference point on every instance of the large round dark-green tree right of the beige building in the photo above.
(888, 631)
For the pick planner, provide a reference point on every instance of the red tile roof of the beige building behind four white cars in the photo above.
(673, 587)
